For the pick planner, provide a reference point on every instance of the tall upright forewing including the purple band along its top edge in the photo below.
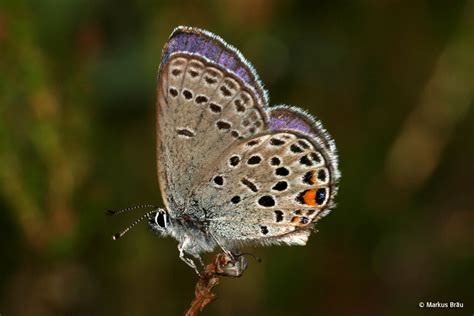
(209, 99)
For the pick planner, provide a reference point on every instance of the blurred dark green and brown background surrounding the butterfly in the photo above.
(391, 80)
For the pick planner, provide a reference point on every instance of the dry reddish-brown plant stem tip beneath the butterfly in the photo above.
(203, 290)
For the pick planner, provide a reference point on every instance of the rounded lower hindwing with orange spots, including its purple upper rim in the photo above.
(270, 188)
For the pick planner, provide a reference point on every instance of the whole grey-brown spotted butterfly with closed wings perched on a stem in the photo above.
(232, 170)
